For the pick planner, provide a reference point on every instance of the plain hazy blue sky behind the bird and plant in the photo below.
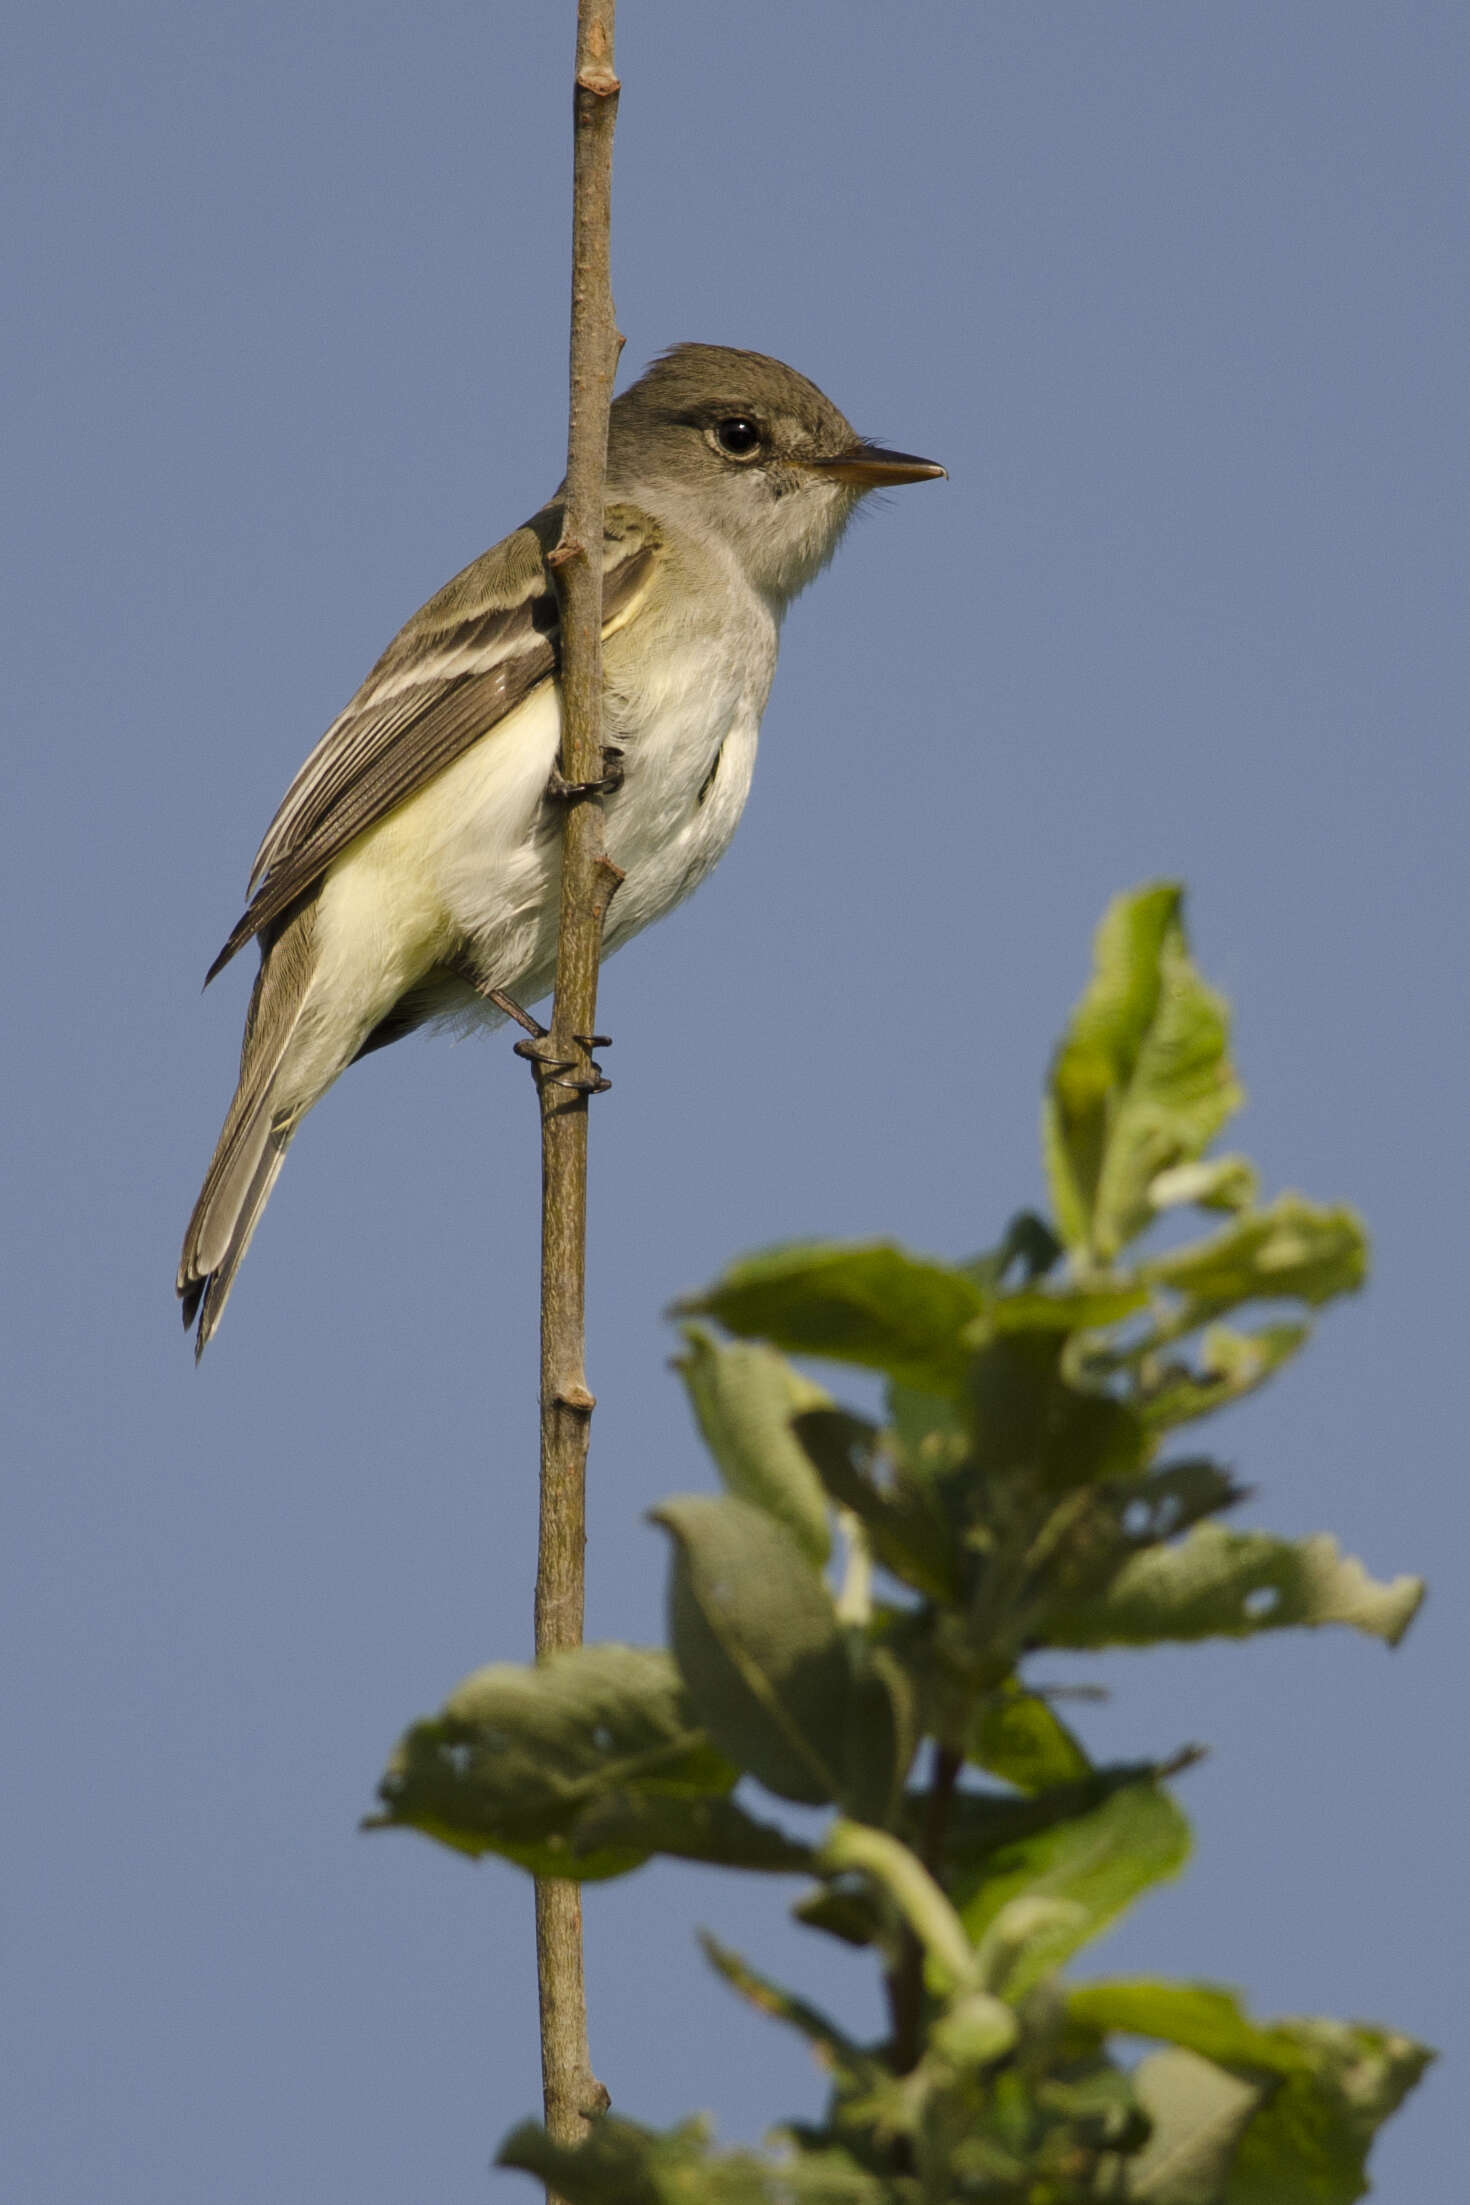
(1178, 294)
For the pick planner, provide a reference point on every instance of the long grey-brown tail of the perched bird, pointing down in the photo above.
(255, 1139)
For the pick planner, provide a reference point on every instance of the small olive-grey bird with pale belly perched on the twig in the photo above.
(415, 861)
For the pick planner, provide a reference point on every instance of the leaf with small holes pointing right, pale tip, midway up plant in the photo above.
(1222, 1584)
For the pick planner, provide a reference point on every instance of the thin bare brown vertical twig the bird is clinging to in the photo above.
(565, 1073)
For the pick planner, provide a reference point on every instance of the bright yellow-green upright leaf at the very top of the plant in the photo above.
(1143, 1079)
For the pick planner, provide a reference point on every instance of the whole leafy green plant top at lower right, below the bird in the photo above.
(850, 1628)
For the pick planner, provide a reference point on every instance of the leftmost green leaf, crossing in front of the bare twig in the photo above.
(521, 1754)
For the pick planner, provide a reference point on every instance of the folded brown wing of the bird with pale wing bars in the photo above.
(462, 665)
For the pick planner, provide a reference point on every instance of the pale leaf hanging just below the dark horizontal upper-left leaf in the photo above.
(744, 1399)
